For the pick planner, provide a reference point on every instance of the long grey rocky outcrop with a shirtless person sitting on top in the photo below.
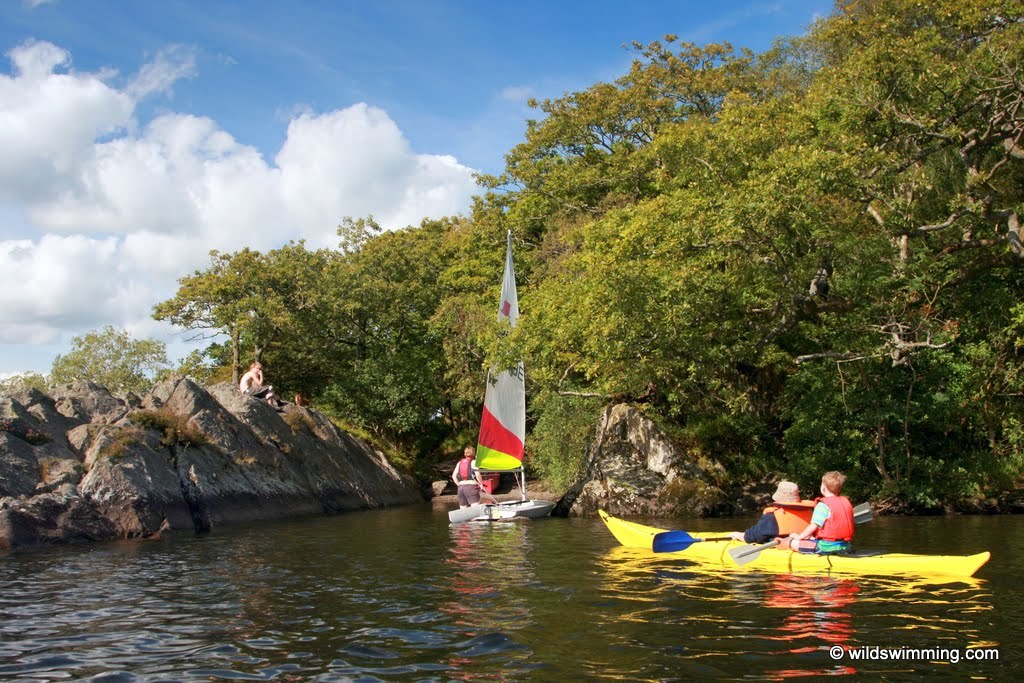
(81, 464)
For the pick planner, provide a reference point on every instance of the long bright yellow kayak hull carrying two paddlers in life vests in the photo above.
(633, 535)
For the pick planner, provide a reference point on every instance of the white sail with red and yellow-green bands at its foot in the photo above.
(503, 428)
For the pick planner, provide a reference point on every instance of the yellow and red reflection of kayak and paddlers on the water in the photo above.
(783, 625)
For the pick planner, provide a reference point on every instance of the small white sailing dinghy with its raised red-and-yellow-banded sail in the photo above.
(503, 428)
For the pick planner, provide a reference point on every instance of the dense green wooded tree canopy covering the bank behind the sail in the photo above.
(799, 261)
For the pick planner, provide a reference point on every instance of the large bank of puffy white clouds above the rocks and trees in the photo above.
(122, 210)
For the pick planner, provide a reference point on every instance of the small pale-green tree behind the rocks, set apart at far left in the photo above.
(112, 359)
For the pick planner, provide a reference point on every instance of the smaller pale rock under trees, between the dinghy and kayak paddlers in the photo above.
(634, 469)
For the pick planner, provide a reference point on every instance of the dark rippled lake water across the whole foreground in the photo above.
(400, 595)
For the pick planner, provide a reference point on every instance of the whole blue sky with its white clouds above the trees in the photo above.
(139, 136)
